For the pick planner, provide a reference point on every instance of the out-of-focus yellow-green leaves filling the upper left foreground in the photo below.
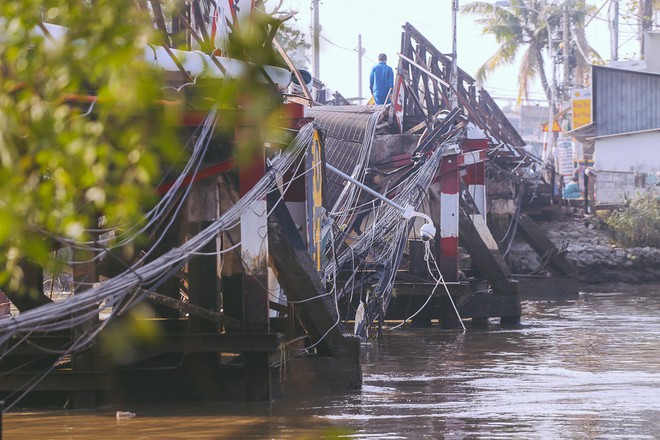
(65, 156)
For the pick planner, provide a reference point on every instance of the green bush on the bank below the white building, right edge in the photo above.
(637, 224)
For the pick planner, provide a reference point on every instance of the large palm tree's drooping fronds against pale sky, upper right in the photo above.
(523, 24)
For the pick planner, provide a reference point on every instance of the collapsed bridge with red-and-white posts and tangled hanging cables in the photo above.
(255, 265)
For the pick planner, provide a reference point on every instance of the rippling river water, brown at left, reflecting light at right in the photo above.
(587, 367)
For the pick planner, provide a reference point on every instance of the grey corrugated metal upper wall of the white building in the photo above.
(625, 101)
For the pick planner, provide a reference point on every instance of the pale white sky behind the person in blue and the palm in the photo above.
(380, 24)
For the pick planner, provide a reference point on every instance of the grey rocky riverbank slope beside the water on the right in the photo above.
(589, 247)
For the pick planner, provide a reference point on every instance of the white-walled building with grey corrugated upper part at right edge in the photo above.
(625, 129)
